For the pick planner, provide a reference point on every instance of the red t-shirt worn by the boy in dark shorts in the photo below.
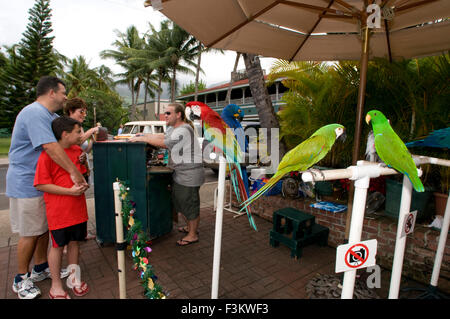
(62, 210)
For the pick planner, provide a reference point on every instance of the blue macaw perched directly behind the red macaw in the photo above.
(232, 115)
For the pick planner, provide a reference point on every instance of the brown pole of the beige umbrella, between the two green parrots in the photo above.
(359, 119)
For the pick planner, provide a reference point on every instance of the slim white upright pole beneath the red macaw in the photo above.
(218, 230)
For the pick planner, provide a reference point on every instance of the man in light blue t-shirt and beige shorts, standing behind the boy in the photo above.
(31, 134)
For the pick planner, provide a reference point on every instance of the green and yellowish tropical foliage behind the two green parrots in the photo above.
(413, 94)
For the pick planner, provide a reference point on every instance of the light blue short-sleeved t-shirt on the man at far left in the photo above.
(32, 129)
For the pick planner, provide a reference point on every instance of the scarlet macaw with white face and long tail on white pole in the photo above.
(215, 131)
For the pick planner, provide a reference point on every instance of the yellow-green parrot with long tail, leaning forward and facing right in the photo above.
(303, 156)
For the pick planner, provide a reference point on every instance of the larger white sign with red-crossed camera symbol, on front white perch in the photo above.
(356, 255)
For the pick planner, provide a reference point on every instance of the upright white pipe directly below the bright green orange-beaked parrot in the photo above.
(400, 242)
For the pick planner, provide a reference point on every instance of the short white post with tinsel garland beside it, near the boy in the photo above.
(120, 241)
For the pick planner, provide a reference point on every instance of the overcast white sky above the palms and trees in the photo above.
(86, 27)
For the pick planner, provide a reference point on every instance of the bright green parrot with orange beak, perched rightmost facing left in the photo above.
(391, 148)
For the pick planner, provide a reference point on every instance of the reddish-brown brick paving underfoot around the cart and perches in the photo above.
(250, 267)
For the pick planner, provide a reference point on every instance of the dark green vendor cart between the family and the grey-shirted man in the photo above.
(149, 188)
